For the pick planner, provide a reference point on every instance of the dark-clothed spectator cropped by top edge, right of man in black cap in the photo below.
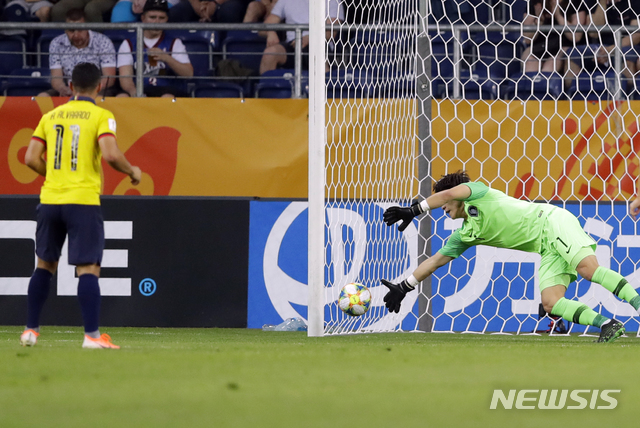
(222, 11)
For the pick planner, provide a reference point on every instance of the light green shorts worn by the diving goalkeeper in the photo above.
(564, 245)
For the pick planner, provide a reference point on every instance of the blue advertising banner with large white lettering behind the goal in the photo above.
(486, 289)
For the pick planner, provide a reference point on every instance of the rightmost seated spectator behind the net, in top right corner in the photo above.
(601, 44)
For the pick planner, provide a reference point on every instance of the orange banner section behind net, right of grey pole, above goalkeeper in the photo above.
(541, 150)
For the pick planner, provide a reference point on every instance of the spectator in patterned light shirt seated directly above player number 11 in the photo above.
(75, 47)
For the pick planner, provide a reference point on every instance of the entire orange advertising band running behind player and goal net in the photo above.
(259, 148)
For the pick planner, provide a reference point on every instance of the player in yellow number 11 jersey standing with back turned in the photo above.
(66, 148)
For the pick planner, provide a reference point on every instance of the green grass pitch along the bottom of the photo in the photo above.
(251, 378)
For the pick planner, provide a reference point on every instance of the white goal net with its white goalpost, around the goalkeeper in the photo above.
(405, 91)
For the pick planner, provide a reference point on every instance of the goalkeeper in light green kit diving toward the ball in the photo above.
(492, 218)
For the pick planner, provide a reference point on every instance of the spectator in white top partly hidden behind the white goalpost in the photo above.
(281, 55)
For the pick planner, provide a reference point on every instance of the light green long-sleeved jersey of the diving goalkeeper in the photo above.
(498, 220)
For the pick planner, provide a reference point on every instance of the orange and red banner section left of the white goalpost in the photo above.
(190, 147)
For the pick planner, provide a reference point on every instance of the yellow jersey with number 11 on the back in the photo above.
(70, 133)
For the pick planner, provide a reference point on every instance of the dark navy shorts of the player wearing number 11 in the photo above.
(82, 223)
